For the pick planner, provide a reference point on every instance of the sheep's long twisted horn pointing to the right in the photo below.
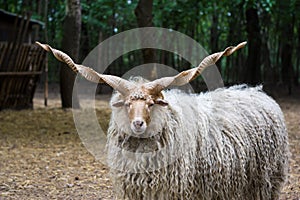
(189, 75)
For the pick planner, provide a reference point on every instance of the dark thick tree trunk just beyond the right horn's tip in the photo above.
(253, 73)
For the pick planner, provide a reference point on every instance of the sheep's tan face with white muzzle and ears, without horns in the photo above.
(139, 104)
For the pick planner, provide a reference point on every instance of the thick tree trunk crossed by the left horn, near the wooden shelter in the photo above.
(70, 44)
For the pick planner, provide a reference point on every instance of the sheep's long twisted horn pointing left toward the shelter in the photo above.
(119, 84)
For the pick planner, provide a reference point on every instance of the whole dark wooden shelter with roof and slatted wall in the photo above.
(21, 62)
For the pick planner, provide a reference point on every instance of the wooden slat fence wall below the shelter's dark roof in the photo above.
(20, 68)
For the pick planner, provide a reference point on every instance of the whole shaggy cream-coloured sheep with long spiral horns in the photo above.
(230, 143)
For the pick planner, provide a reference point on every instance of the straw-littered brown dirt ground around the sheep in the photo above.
(42, 157)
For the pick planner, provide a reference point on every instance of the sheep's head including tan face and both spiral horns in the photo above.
(139, 99)
